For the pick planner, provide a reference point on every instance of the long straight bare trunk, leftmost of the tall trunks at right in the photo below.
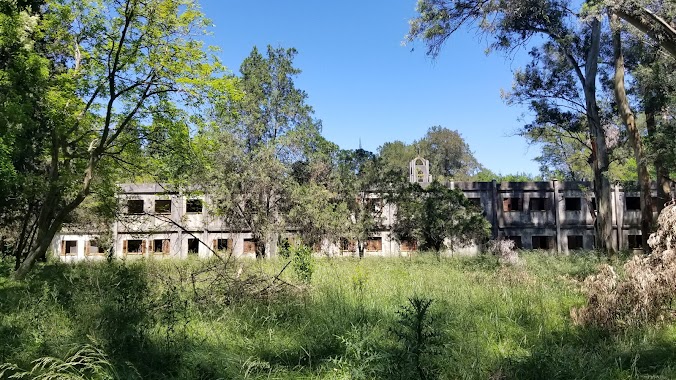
(599, 161)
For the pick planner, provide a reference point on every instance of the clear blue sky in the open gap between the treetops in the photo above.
(364, 85)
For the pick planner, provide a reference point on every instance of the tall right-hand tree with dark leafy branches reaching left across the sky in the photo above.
(513, 24)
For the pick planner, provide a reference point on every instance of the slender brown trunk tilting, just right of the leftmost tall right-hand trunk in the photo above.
(632, 130)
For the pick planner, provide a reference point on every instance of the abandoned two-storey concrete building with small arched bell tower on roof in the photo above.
(555, 216)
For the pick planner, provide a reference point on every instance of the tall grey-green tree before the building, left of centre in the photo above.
(260, 149)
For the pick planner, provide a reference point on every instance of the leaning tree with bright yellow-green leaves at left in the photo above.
(111, 67)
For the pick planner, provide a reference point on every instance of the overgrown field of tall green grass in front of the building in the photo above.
(368, 318)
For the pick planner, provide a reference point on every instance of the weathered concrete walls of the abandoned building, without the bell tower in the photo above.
(528, 211)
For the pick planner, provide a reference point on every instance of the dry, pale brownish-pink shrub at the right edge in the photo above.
(646, 290)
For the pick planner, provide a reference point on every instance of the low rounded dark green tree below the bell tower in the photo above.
(436, 215)
